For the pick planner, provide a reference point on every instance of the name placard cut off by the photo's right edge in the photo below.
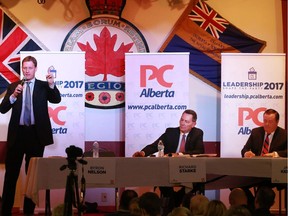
(279, 171)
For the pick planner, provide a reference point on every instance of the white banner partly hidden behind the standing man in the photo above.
(67, 117)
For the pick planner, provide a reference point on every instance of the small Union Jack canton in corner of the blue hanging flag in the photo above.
(208, 19)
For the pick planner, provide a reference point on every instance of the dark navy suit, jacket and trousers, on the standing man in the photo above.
(25, 140)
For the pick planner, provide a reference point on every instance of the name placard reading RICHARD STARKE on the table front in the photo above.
(183, 170)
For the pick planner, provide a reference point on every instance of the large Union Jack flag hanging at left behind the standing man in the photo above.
(13, 39)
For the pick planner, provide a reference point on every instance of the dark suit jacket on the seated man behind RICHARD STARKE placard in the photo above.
(170, 139)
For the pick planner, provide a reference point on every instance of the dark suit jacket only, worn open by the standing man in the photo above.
(42, 93)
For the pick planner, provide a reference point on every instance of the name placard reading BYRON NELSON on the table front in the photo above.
(100, 171)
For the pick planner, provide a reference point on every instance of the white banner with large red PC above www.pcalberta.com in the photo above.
(157, 92)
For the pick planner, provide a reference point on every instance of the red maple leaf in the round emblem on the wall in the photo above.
(104, 60)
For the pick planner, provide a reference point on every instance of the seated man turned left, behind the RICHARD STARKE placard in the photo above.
(172, 139)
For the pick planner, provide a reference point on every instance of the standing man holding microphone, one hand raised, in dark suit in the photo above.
(29, 129)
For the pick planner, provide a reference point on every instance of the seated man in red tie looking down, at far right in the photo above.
(271, 133)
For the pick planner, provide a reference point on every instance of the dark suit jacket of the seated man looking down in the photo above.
(256, 139)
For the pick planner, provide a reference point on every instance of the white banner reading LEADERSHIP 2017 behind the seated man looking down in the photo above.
(251, 83)
